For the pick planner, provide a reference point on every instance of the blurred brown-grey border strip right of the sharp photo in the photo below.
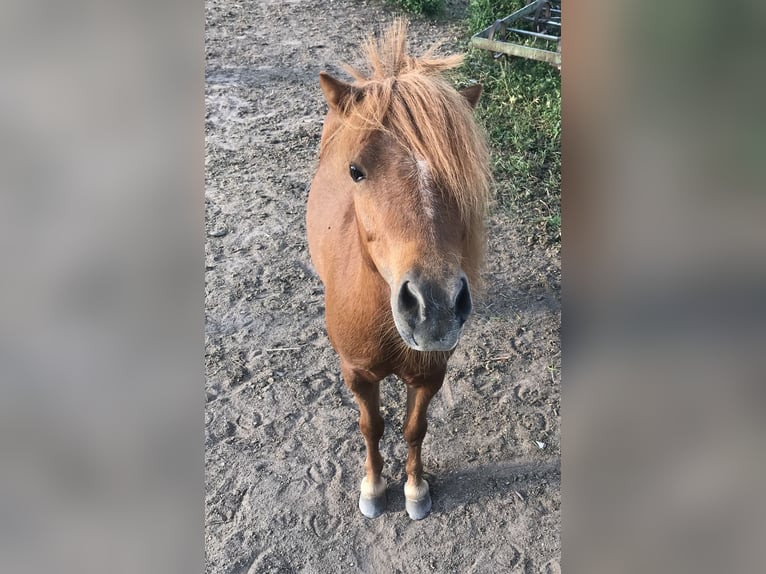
(664, 276)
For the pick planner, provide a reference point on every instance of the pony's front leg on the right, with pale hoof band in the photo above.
(416, 492)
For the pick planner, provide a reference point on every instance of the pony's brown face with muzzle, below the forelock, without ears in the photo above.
(415, 238)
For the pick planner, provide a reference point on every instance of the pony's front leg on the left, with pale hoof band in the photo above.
(372, 499)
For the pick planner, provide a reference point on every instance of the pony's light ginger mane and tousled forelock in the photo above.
(408, 98)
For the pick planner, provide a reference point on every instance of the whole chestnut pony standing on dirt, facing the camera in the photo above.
(395, 227)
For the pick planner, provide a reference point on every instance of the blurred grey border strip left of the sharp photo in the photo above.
(101, 343)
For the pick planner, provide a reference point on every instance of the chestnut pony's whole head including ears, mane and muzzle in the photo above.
(404, 143)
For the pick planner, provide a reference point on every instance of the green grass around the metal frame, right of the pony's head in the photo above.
(521, 111)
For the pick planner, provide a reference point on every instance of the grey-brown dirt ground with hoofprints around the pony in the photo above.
(284, 456)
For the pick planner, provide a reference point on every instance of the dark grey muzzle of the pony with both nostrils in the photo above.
(428, 316)
